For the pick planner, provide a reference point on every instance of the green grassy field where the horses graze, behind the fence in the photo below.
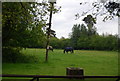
(93, 63)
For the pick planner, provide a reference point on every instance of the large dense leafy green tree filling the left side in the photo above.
(21, 25)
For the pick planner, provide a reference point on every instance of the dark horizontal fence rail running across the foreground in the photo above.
(47, 76)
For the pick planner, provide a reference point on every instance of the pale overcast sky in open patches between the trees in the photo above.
(63, 22)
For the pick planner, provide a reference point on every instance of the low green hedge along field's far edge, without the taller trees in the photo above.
(96, 42)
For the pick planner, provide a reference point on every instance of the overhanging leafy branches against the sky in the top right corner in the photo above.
(108, 9)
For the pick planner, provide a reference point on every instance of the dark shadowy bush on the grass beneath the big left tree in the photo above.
(13, 55)
